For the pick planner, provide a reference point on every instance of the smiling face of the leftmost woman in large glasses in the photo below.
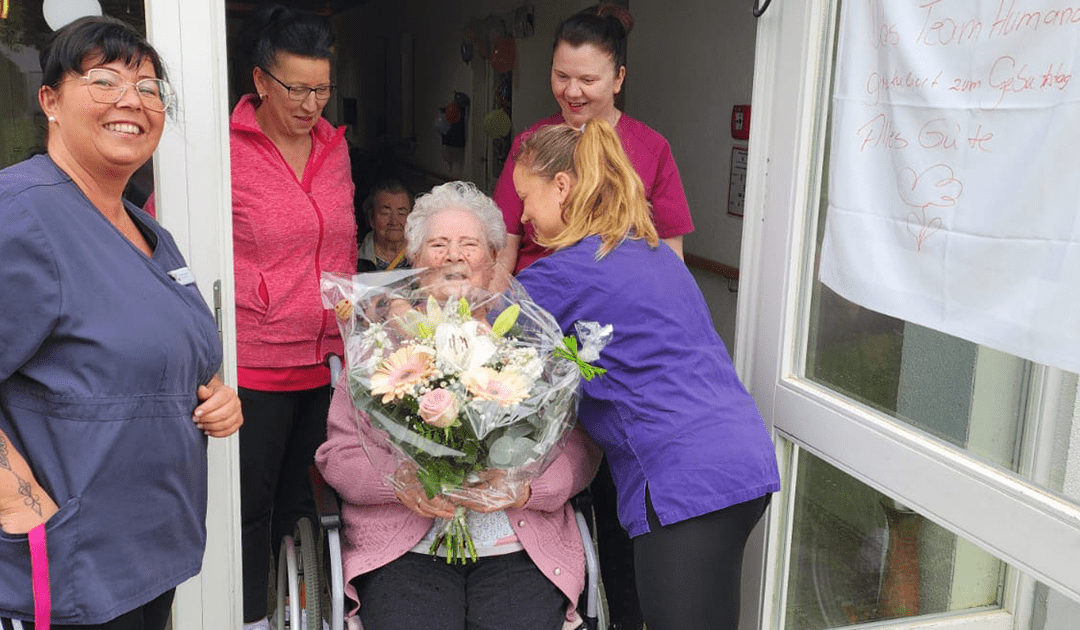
(105, 140)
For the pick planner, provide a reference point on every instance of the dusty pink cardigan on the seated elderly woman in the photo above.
(379, 529)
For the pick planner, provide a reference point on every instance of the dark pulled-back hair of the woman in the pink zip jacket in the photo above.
(280, 30)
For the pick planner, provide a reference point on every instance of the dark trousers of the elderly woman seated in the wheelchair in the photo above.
(424, 593)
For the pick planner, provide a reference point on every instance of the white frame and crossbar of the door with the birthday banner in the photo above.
(1016, 521)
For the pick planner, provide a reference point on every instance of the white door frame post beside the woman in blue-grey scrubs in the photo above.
(195, 202)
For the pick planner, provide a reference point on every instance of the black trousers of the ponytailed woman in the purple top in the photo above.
(690, 573)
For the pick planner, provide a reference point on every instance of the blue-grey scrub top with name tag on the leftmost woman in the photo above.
(102, 352)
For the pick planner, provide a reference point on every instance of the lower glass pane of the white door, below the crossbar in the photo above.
(859, 557)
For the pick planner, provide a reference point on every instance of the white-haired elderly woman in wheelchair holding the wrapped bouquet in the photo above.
(532, 567)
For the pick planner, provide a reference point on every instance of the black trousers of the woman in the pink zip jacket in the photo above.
(278, 445)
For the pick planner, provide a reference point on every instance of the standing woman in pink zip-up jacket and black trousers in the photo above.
(293, 219)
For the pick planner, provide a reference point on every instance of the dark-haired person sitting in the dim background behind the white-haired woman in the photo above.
(386, 208)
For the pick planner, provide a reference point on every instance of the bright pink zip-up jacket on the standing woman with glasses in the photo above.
(286, 234)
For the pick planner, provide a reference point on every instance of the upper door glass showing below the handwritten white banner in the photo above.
(975, 398)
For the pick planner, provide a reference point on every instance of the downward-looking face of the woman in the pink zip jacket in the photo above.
(279, 115)
